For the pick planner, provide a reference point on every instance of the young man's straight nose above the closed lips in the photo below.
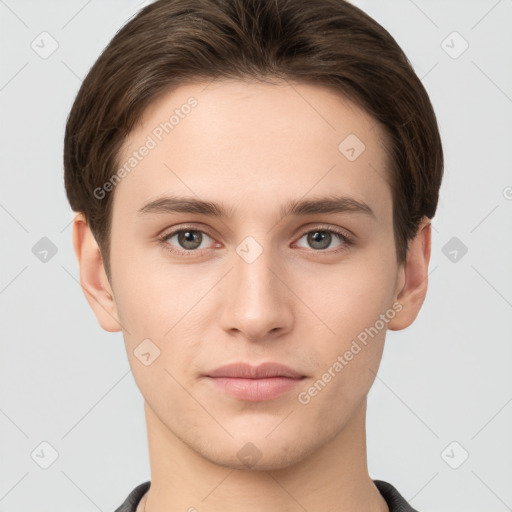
(256, 302)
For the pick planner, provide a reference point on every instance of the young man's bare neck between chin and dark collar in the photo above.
(334, 477)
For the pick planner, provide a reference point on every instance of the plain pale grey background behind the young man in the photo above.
(66, 382)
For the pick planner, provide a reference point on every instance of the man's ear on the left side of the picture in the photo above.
(93, 278)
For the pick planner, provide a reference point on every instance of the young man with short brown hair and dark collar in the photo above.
(254, 182)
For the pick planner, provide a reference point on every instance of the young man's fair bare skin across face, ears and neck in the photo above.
(254, 146)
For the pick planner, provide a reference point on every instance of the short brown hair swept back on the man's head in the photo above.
(327, 42)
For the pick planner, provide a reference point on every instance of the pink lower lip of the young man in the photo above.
(255, 390)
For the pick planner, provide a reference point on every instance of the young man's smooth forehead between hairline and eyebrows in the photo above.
(253, 144)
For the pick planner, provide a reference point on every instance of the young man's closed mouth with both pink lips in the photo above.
(255, 383)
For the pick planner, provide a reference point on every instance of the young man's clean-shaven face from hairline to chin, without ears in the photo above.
(305, 287)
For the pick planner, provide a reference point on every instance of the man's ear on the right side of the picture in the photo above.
(413, 278)
